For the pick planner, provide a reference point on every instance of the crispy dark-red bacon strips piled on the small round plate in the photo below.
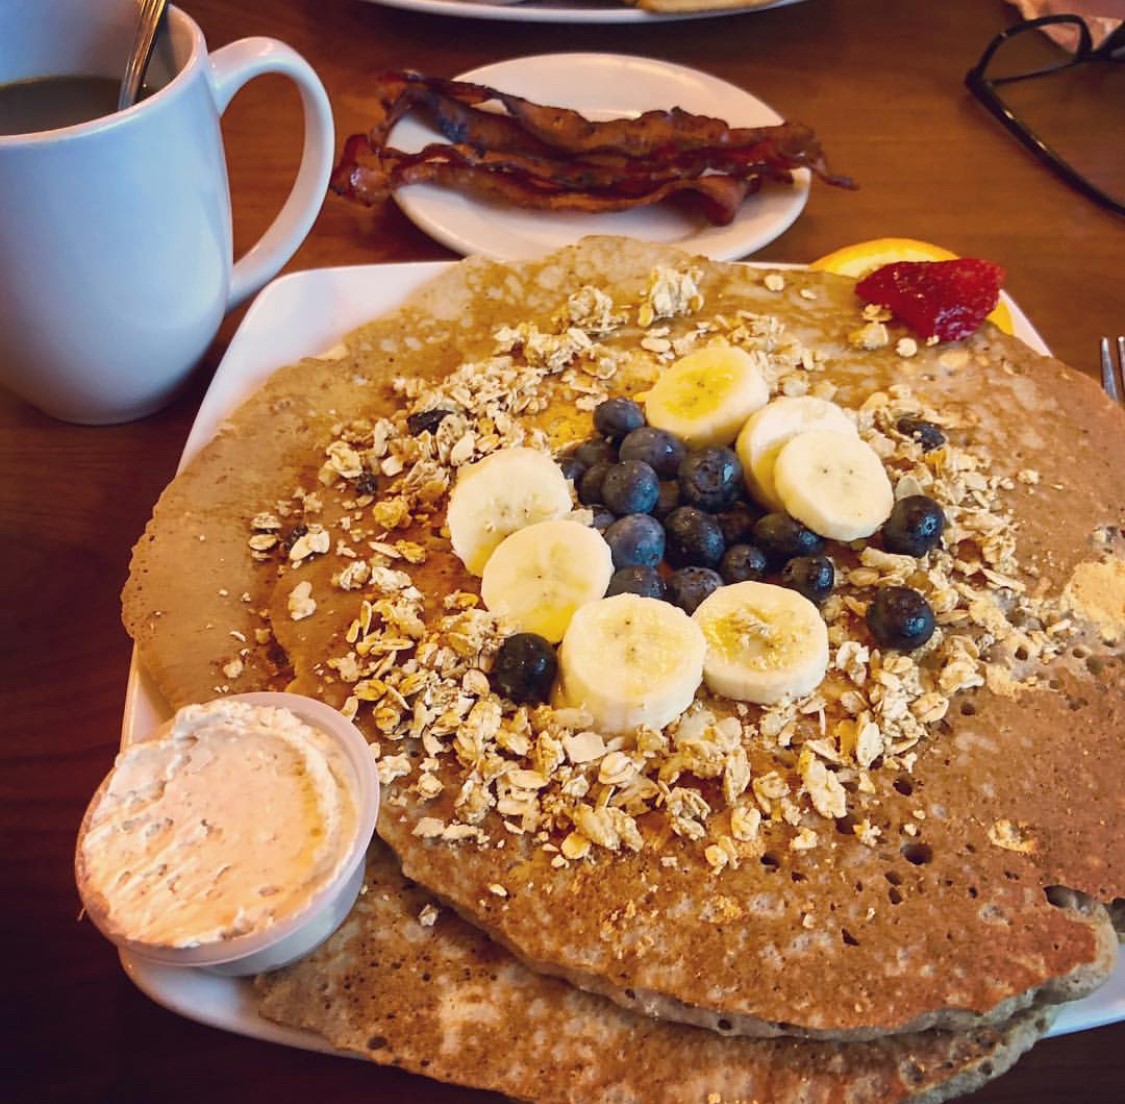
(550, 158)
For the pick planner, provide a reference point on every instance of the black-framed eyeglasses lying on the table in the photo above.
(993, 73)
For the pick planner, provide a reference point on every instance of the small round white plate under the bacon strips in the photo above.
(601, 86)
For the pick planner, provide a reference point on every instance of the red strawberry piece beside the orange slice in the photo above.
(943, 300)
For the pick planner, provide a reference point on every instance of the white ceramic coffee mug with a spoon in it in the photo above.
(116, 255)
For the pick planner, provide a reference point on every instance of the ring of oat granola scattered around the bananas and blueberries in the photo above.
(728, 777)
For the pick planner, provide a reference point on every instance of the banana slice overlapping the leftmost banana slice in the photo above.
(539, 576)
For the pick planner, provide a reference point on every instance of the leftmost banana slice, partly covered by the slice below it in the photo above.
(496, 497)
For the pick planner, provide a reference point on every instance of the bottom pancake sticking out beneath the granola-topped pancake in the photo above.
(406, 983)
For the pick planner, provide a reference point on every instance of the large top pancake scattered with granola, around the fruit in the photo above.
(992, 771)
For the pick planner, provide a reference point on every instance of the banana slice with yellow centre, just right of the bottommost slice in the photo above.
(763, 643)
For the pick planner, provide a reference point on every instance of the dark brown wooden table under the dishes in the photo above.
(883, 85)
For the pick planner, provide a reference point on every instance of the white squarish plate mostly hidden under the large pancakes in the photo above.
(302, 316)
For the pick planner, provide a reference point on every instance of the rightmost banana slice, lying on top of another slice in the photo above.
(834, 483)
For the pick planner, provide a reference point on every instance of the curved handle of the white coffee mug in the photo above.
(236, 66)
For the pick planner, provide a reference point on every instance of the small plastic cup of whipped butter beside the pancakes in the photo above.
(286, 784)
